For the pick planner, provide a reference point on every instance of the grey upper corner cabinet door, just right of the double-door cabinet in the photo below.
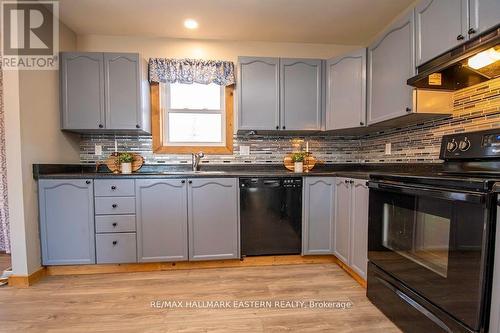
(346, 91)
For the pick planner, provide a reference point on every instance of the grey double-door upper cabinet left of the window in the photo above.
(104, 92)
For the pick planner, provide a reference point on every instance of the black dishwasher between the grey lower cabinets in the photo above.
(271, 216)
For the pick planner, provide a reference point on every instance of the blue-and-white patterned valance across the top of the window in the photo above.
(191, 71)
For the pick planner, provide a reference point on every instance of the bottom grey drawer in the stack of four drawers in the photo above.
(116, 248)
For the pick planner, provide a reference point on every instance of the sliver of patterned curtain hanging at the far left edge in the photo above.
(4, 210)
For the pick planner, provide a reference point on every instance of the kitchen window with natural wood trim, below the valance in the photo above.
(188, 118)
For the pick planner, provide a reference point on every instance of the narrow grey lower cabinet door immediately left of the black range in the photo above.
(358, 259)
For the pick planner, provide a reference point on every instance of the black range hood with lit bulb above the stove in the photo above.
(473, 62)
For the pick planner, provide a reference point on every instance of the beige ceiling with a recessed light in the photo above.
(352, 22)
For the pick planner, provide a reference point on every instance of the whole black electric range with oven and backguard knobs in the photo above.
(431, 238)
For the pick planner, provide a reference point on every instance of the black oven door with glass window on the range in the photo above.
(434, 241)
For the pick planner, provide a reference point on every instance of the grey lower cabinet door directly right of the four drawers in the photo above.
(161, 208)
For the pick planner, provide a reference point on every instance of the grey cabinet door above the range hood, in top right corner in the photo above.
(484, 14)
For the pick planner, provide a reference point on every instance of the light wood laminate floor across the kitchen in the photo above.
(122, 302)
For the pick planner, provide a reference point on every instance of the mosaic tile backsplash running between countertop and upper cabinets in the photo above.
(475, 108)
